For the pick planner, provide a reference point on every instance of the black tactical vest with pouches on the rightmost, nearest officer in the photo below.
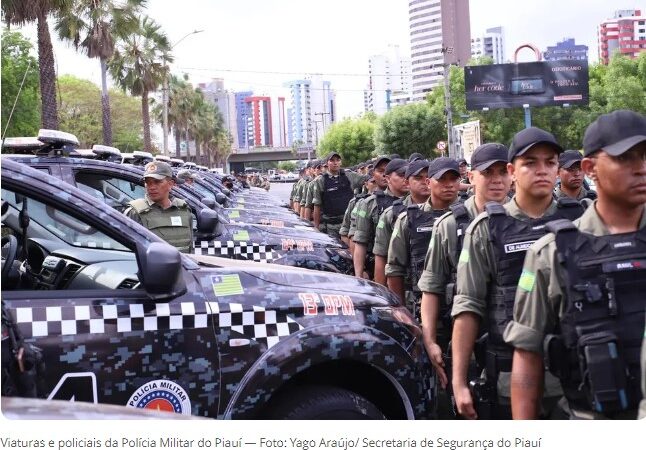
(602, 327)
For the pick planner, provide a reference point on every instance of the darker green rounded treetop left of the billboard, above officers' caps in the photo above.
(408, 129)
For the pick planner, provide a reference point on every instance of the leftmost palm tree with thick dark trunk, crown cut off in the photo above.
(20, 12)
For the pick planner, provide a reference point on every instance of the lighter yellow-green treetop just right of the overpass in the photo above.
(353, 139)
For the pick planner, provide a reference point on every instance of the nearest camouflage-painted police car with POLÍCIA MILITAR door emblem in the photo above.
(123, 318)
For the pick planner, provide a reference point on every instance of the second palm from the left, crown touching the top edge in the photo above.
(94, 26)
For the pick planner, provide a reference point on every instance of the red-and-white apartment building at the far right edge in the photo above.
(625, 32)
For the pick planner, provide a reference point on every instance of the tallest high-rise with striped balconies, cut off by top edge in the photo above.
(440, 34)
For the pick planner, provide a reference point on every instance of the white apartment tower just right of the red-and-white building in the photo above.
(312, 109)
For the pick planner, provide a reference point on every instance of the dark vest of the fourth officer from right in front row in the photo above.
(420, 230)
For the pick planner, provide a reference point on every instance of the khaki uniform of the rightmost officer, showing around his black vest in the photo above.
(542, 296)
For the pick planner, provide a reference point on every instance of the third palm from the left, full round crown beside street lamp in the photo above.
(139, 65)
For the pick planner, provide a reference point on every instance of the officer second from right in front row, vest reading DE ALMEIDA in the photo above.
(489, 268)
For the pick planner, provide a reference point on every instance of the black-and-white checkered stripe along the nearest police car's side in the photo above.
(266, 326)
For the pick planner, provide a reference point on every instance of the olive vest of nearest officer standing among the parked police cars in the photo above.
(162, 223)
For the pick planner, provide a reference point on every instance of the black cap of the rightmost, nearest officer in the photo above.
(615, 133)
